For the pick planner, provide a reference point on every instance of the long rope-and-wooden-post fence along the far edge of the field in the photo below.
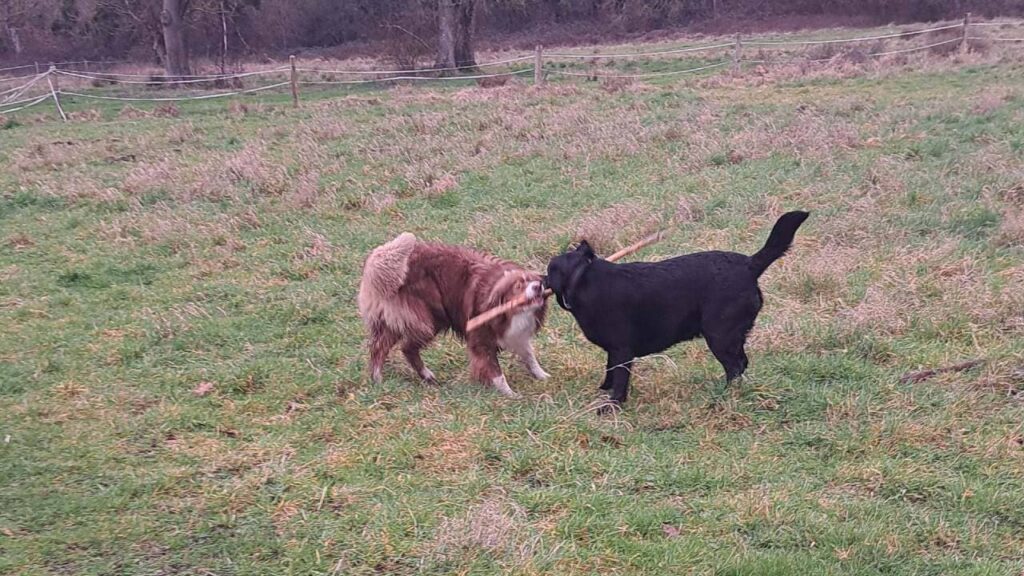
(21, 92)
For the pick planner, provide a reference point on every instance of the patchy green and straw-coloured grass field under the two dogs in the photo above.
(182, 363)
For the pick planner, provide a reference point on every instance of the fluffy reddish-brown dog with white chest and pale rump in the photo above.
(411, 292)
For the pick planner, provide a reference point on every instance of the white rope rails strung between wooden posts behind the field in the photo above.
(32, 90)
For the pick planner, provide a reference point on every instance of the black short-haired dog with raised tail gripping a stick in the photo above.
(645, 308)
